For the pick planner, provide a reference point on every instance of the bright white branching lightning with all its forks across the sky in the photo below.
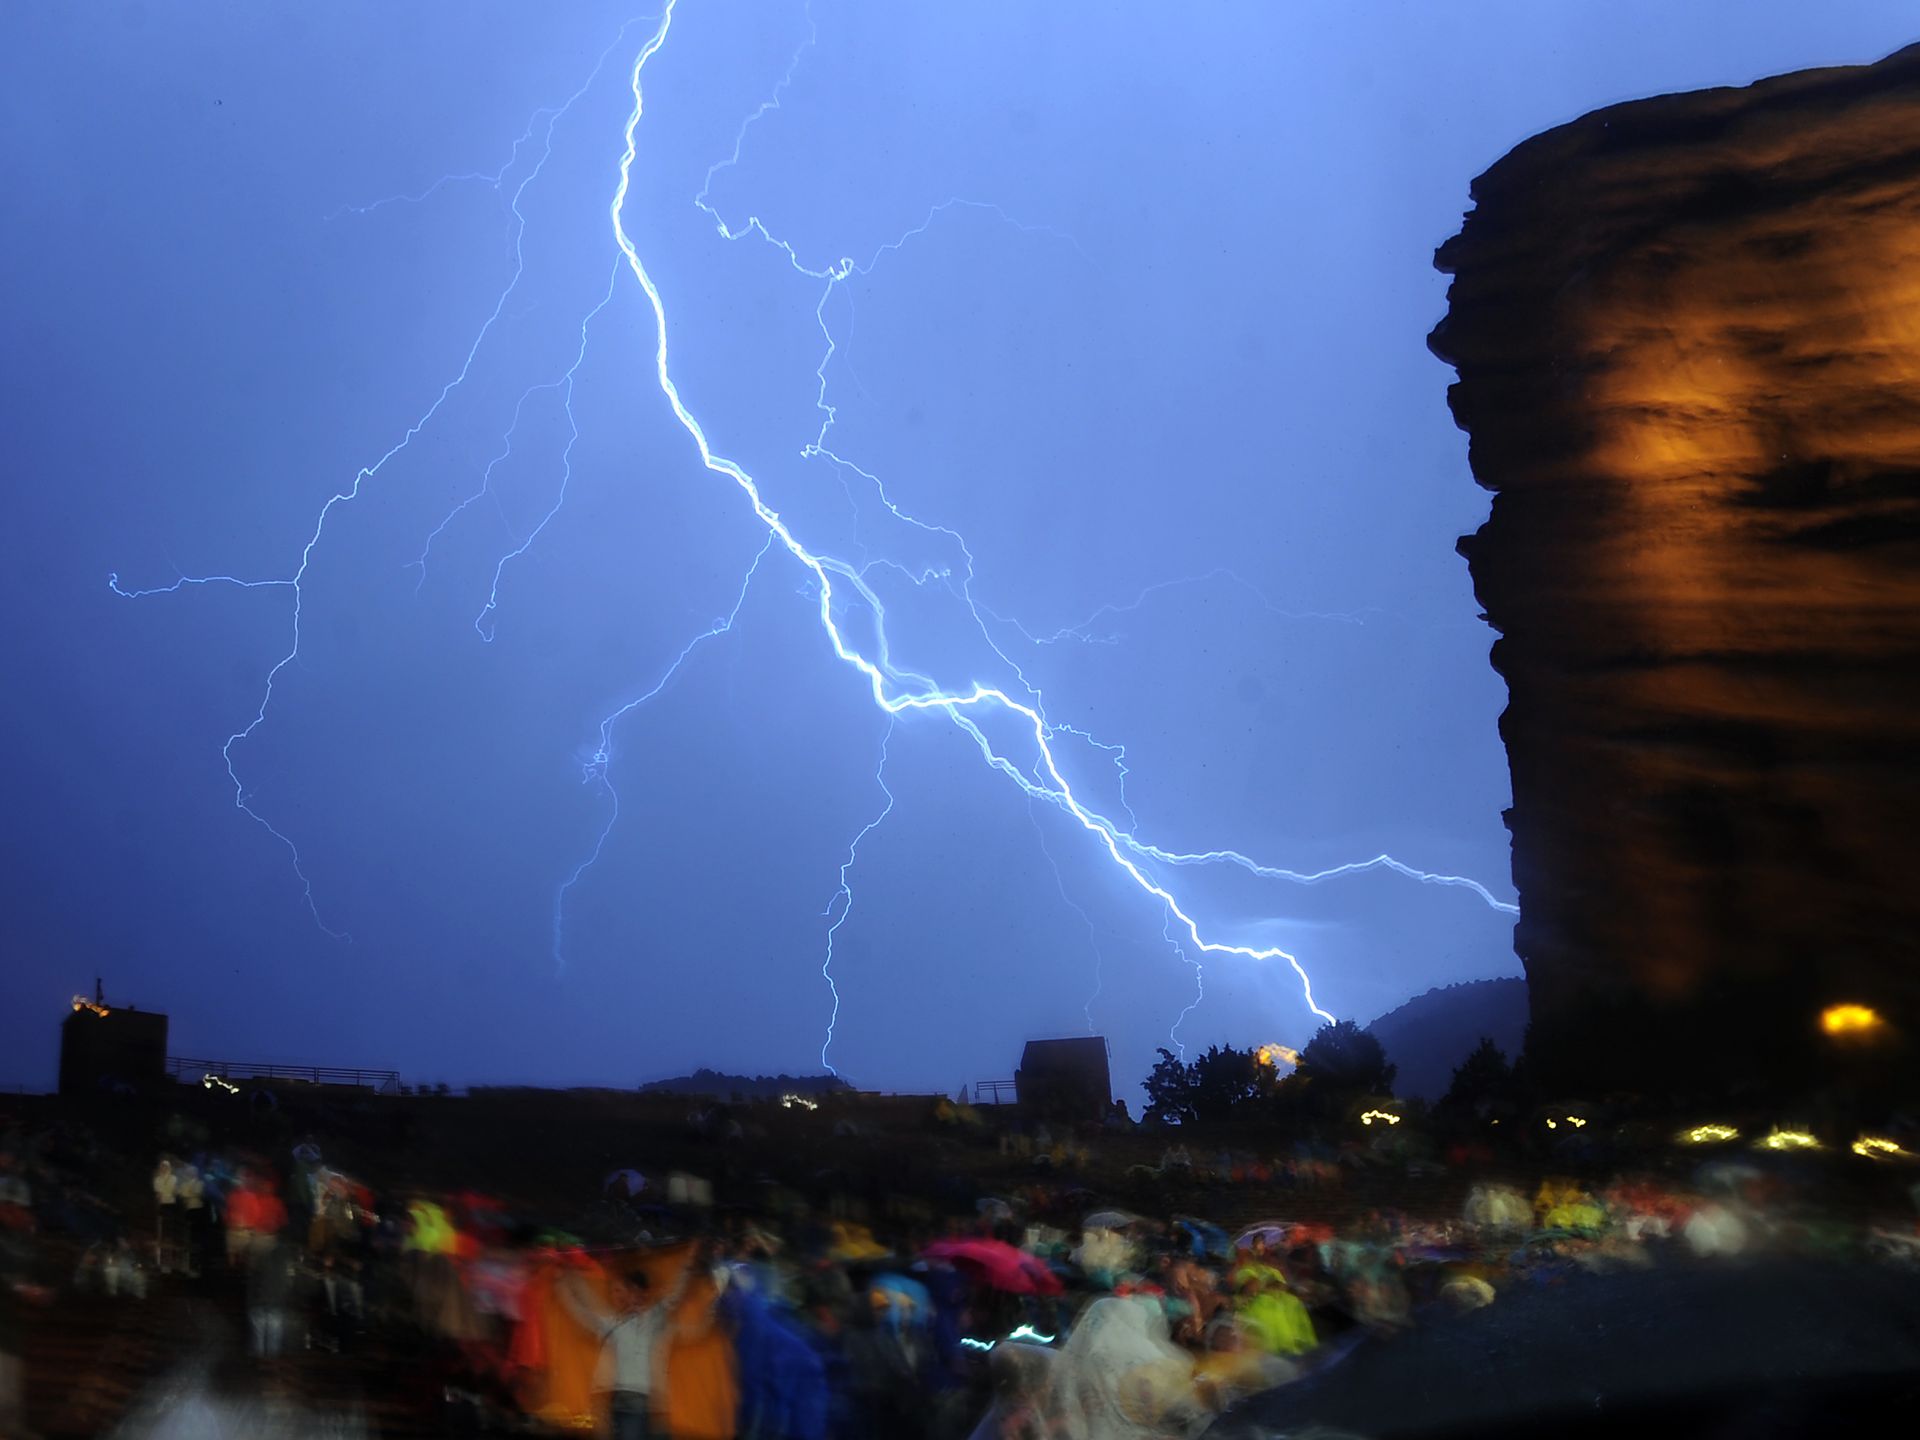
(834, 587)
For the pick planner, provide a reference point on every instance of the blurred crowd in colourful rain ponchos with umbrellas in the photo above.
(1005, 1324)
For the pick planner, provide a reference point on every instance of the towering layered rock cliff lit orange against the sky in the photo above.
(1689, 348)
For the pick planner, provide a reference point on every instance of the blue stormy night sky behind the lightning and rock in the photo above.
(1159, 368)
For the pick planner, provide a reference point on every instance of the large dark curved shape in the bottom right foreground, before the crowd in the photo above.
(1756, 1351)
